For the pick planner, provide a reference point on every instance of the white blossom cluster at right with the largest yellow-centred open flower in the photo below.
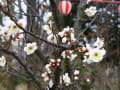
(94, 53)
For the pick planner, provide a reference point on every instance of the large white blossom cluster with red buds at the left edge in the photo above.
(11, 31)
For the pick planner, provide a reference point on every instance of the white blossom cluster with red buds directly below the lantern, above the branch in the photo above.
(67, 35)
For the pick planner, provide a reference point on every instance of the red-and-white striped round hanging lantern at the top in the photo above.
(65, 7)
